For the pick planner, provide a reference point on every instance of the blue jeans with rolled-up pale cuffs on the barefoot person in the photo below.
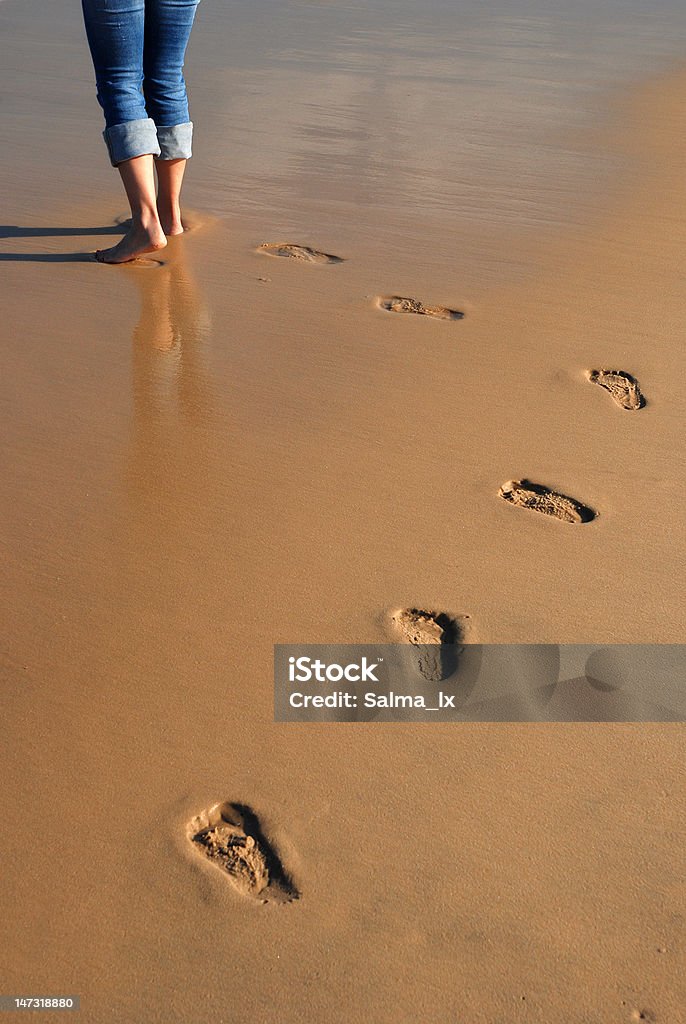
(139, 49)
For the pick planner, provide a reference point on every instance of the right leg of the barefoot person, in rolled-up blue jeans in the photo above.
(168, 25)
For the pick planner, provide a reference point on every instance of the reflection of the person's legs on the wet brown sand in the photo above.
(177, 529)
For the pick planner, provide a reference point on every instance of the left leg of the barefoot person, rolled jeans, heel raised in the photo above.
(116, 36)
